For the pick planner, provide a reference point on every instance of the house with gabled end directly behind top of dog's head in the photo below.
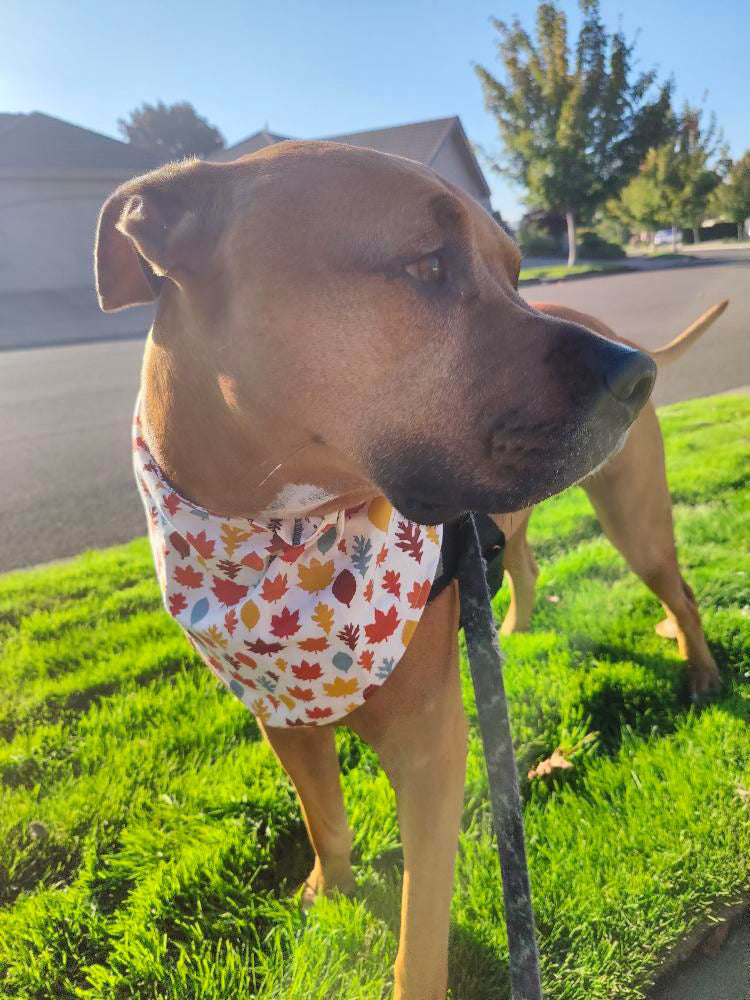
(440, 143)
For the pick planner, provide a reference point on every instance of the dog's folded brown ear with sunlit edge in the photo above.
(156, 227)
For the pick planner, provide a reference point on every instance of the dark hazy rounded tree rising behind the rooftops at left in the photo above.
(171, 131)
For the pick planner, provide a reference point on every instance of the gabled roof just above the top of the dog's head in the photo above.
(420, 141)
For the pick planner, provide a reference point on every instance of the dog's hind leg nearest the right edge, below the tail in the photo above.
(631, 498)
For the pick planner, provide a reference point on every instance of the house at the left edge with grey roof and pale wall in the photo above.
(54, 177)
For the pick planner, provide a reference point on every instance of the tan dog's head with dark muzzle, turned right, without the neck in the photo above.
(357, 301)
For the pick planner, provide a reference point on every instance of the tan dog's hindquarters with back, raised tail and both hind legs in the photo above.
(630, 496)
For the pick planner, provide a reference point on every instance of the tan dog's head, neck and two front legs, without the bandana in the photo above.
(333, 316)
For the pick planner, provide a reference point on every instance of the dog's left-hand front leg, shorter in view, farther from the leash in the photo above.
(308, 755)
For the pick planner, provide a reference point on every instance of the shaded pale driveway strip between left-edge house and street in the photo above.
(69, 316)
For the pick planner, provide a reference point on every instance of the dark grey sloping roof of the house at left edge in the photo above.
(41, 141)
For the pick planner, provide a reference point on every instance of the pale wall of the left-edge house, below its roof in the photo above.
(47, 228)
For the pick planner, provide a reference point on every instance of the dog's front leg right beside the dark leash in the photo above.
(417, 725)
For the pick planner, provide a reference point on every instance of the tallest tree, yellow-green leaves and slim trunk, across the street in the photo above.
(575, 131)
